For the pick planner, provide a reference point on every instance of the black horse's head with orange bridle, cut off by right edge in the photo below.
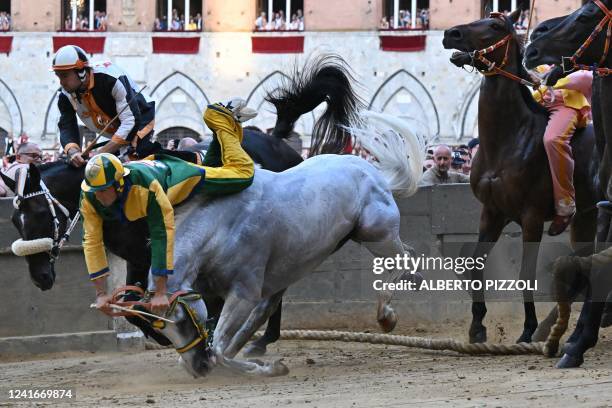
(559, 39)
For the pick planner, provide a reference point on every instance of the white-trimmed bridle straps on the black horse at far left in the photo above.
(52, 202)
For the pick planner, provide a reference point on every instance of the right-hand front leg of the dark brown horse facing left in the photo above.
(532, 226)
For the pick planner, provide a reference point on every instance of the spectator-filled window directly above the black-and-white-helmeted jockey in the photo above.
(84, 15)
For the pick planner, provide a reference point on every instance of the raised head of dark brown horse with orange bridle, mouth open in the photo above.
(490, 37)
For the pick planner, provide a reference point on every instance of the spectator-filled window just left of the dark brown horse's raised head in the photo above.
(405, 14)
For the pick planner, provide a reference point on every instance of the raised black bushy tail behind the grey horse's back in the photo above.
(324, 79)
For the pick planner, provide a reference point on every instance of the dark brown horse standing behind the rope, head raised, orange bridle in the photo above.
(510, 173)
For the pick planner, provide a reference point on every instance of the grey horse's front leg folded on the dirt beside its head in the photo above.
(240, 319)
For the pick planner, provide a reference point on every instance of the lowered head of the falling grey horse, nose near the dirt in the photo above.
(189, 334)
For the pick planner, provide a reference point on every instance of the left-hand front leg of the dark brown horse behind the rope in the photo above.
(490, 228)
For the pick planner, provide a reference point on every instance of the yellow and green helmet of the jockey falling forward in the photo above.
(102, 171)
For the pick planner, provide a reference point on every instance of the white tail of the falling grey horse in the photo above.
(395, 149)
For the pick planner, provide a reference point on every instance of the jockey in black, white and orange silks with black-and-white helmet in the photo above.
(96, 94)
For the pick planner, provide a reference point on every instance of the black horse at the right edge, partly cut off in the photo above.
(557, 44)
